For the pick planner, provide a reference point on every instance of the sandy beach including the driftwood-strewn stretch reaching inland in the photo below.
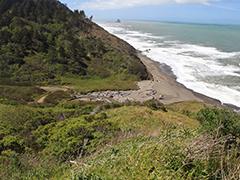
(163, 87)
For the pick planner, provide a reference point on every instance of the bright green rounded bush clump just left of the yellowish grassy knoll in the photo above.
(73, 138)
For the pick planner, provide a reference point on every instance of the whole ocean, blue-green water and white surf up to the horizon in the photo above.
(204, 58)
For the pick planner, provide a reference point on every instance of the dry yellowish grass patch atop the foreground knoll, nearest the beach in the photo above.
(147, 121)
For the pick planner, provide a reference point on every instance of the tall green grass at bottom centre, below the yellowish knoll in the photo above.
(138, 158)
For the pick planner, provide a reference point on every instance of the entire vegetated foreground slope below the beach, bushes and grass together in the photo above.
(117, 141)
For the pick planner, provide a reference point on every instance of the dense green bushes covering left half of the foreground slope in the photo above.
(62, 131)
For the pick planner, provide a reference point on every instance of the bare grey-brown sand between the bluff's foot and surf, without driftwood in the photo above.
(163, 75)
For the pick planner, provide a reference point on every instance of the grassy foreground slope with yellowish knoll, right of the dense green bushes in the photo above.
(159, 149)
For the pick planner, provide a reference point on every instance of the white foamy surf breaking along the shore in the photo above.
(190, 63)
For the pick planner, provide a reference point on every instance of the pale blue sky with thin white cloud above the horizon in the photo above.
(195, 11)
